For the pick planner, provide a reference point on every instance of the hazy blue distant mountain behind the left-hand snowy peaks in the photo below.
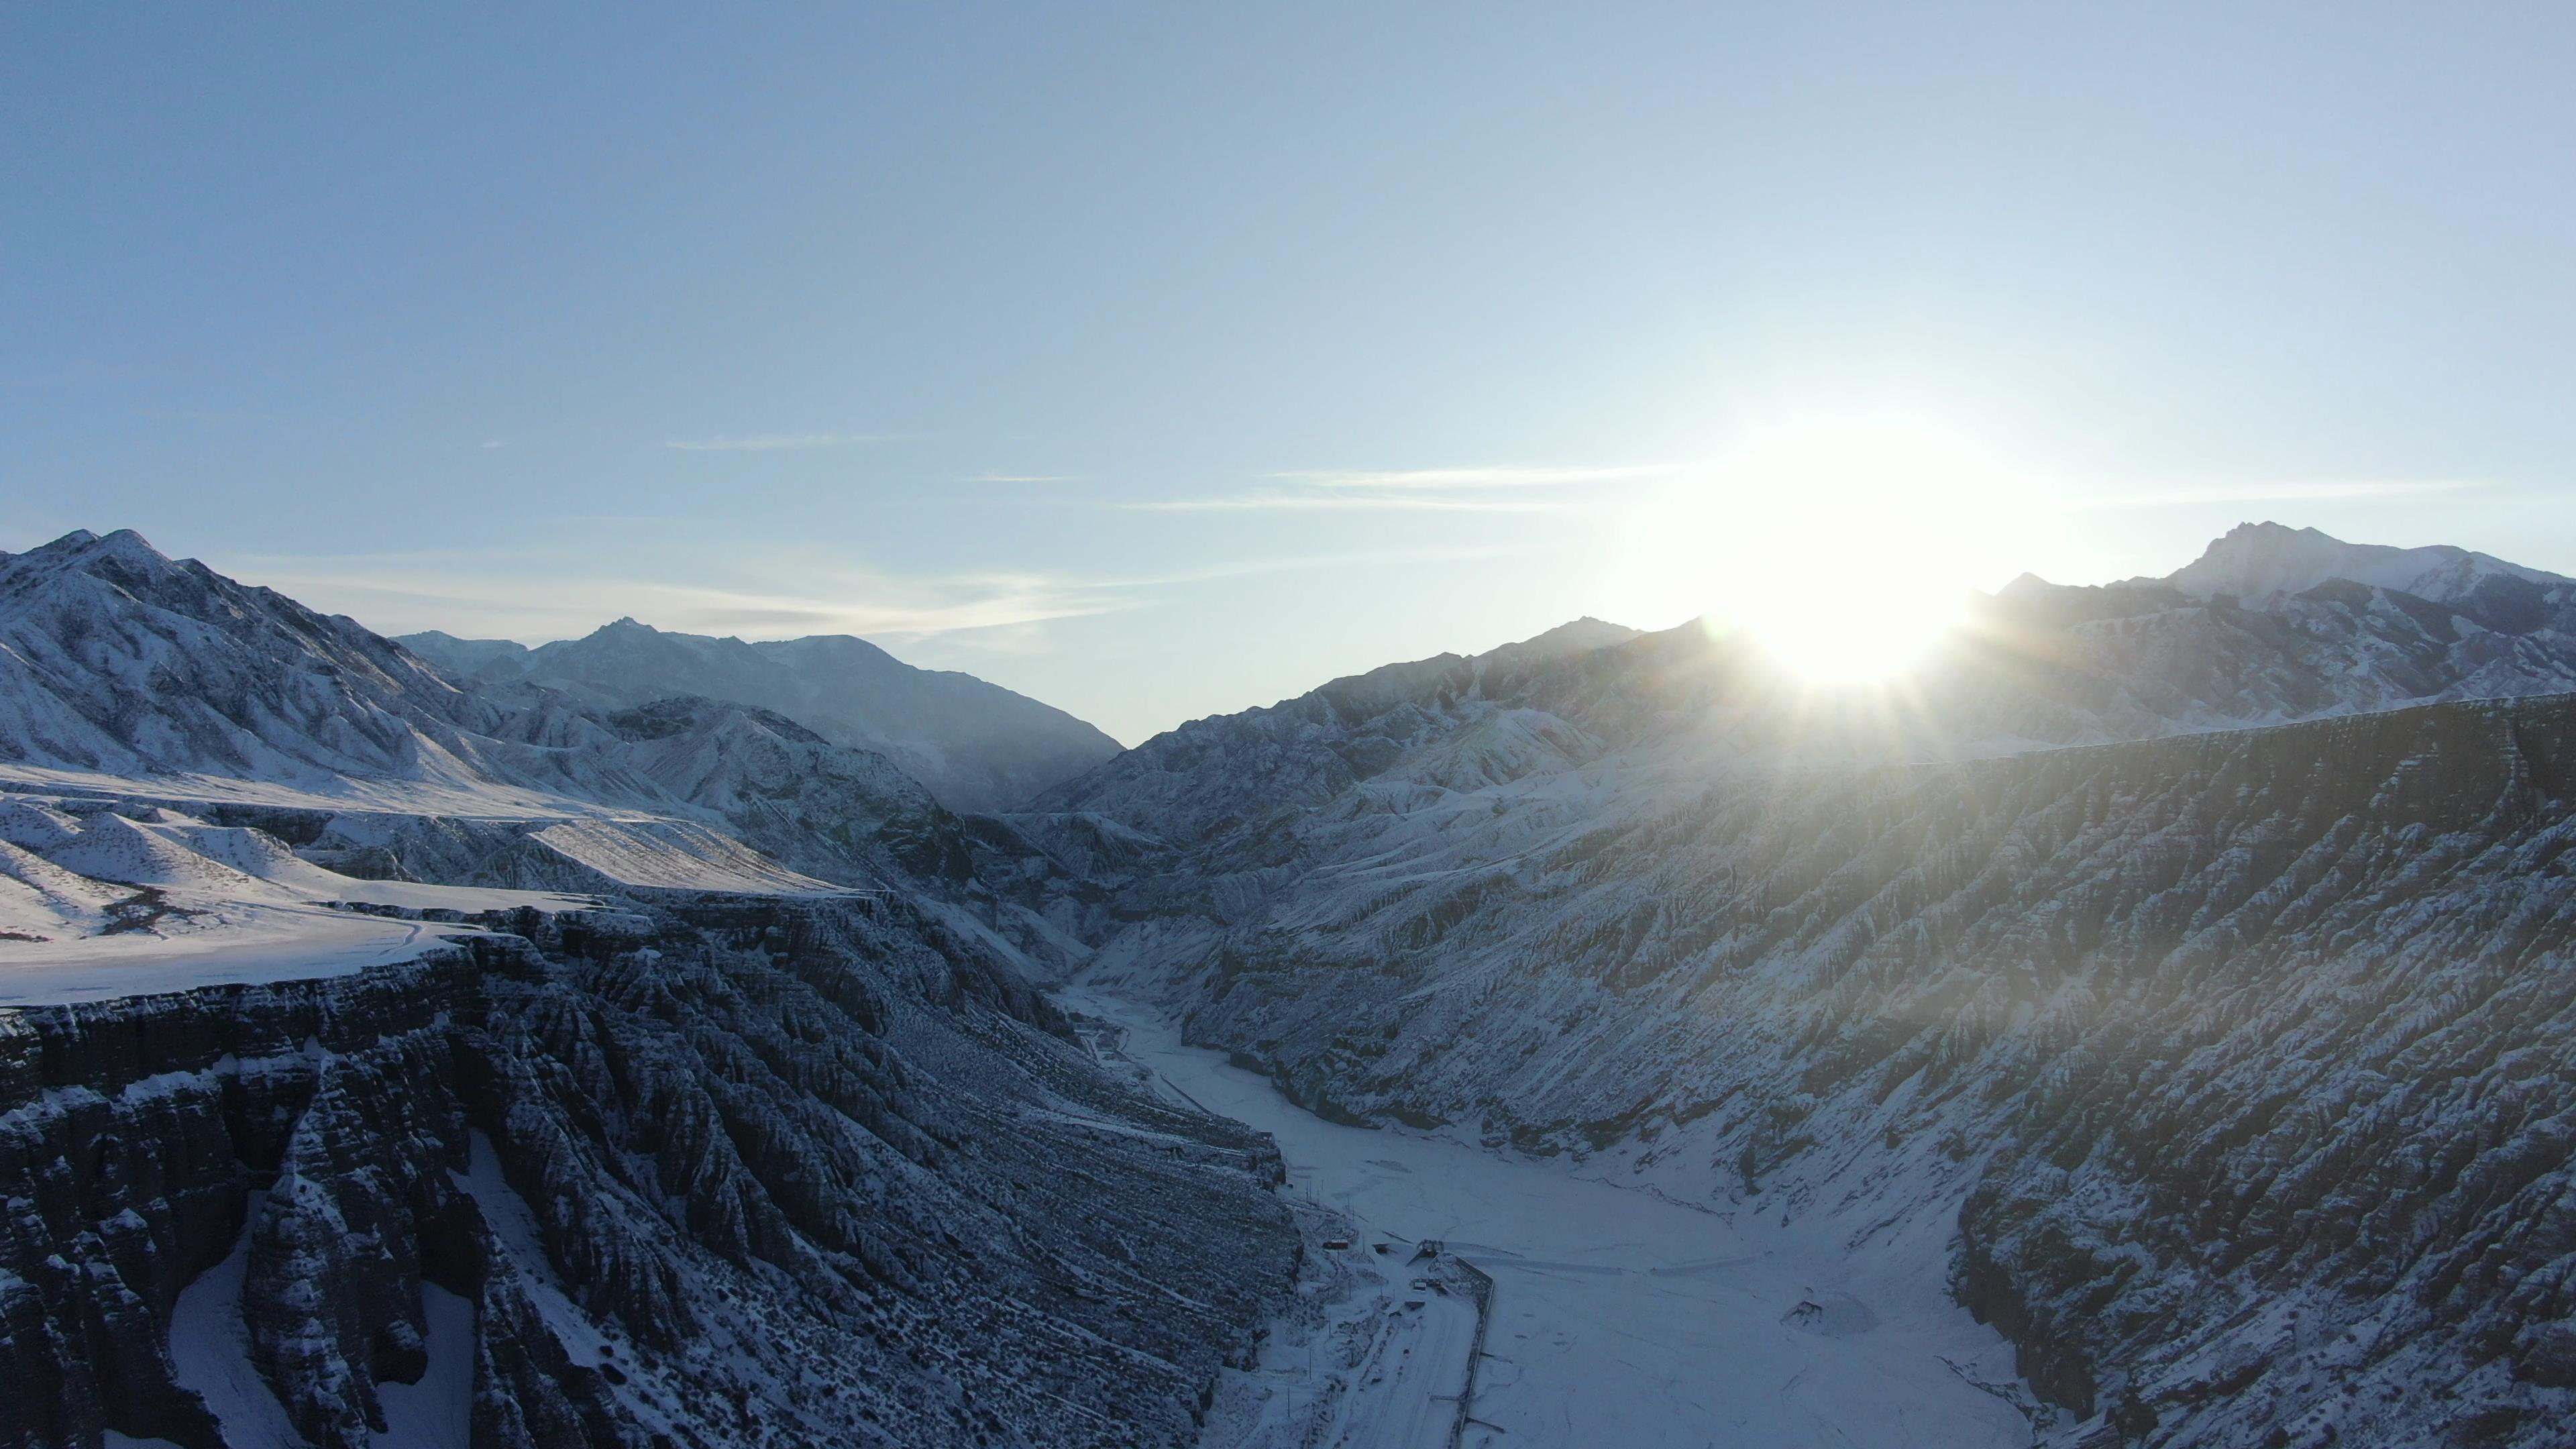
(972, 744)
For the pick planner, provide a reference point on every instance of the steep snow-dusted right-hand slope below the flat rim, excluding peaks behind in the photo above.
(2245, 1061)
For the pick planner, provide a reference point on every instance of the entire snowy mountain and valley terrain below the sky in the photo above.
(2150, 1020)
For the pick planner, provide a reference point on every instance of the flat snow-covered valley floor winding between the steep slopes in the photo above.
(1624, 1319)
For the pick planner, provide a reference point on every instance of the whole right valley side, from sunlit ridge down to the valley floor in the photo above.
(2237, 1053)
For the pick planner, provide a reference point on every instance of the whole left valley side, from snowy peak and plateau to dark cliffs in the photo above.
(388, 1061)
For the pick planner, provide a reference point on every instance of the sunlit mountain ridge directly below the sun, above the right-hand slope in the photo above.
(2036, 666)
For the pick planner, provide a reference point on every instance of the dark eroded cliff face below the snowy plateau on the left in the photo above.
(715, 1172)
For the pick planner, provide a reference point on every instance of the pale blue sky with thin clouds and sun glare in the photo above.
(1166, 362)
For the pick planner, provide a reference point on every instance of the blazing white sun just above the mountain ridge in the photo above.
(1843, 543)
